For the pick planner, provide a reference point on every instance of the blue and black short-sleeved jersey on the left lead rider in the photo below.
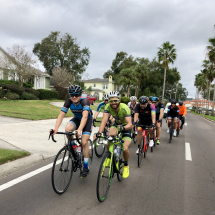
(77, 110)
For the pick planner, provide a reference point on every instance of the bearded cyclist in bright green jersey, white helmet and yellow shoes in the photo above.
(122, 115)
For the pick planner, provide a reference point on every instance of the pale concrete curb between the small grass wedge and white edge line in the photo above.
(20, 164)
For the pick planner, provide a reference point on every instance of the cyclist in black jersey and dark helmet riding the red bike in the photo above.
(146, 114)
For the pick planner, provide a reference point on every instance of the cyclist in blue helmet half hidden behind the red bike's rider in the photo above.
(159, 116)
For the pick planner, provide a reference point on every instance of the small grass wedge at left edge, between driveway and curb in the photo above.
(7, 155)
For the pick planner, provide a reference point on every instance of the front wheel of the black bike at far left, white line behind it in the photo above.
(62, 171)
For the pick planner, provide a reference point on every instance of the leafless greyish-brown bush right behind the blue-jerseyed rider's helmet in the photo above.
(62, 77)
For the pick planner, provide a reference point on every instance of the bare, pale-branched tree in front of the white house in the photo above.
(19, 63)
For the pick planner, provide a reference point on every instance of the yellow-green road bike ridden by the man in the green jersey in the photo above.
(110, 166)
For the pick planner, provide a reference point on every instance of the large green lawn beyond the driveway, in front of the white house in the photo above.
(32, 109)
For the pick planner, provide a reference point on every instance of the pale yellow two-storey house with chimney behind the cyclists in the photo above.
(102, 86)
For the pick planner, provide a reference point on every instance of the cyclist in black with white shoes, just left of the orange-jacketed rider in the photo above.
(173, 113)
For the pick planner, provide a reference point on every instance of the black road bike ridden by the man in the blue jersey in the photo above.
(68, 161)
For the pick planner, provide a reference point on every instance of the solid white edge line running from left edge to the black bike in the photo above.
(28, 175)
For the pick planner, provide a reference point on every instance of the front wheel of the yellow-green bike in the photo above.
(104, 178)
